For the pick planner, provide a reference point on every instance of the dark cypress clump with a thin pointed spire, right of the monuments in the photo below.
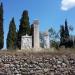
(64, 36)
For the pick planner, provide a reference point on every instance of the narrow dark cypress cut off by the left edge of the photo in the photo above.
(1, 27)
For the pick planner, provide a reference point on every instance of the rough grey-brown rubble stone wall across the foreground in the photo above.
(37, 64)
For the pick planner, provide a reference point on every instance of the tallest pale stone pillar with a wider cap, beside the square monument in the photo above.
(36, 41)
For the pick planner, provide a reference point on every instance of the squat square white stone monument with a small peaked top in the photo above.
(26, 42)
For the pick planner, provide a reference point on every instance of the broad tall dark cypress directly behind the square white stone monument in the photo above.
(24, 27)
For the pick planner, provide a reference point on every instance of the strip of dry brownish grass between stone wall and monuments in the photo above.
(45, 52)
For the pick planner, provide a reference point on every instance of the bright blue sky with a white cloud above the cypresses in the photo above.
(51, 13)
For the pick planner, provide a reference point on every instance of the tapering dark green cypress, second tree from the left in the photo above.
(11, 37)
